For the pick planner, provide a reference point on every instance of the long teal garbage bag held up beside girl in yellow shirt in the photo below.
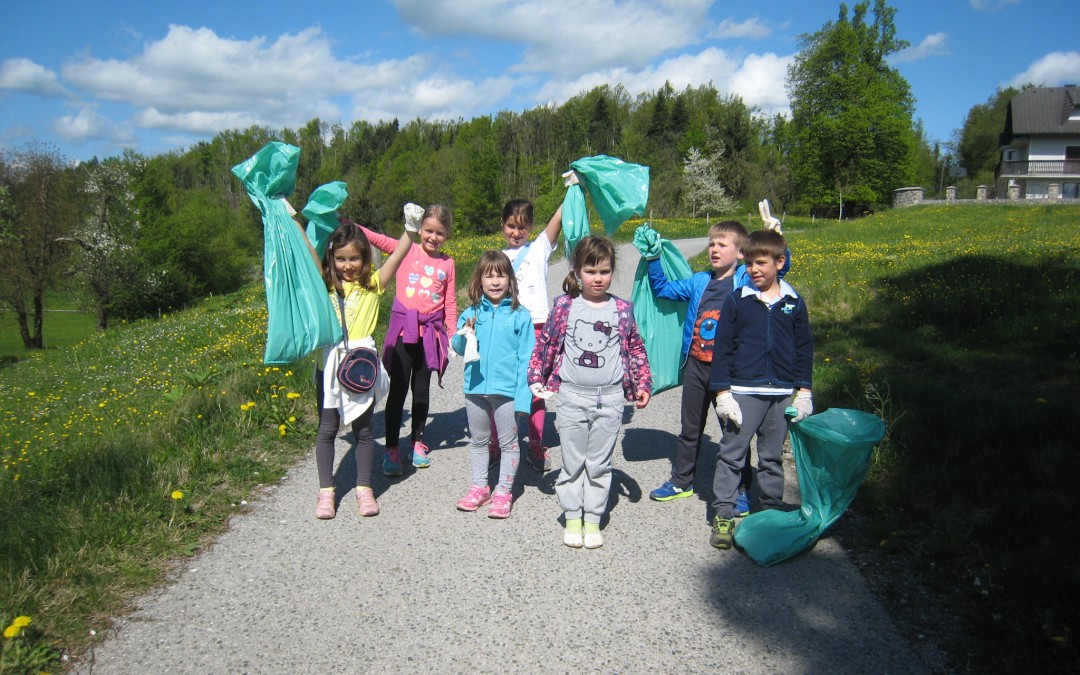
(301, 318)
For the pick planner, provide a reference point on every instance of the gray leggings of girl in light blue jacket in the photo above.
(481, 409)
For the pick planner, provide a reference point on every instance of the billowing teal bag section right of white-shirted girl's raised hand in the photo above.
(619, 191)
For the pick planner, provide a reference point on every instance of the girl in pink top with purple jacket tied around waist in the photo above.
(417, 339)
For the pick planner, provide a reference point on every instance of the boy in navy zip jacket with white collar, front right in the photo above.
(763, 353)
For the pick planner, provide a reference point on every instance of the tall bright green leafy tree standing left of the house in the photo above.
(852, 113)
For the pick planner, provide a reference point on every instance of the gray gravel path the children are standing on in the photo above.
(425, 588)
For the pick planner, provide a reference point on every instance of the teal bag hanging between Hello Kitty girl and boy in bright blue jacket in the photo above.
(660, 321)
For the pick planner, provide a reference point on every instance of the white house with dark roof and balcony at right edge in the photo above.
(1041, 145)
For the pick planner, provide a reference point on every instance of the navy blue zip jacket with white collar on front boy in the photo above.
(761, 346)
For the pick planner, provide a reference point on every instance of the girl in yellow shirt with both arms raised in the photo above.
(347, 269)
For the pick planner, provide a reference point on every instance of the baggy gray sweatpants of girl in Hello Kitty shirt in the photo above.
(589, 422)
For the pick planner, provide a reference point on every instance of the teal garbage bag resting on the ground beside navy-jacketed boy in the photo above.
(832, 455)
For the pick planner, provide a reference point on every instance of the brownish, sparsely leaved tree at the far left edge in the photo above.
(38, 209)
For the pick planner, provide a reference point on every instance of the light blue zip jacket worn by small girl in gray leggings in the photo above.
(505, 339)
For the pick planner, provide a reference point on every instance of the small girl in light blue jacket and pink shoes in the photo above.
(495, 385)
